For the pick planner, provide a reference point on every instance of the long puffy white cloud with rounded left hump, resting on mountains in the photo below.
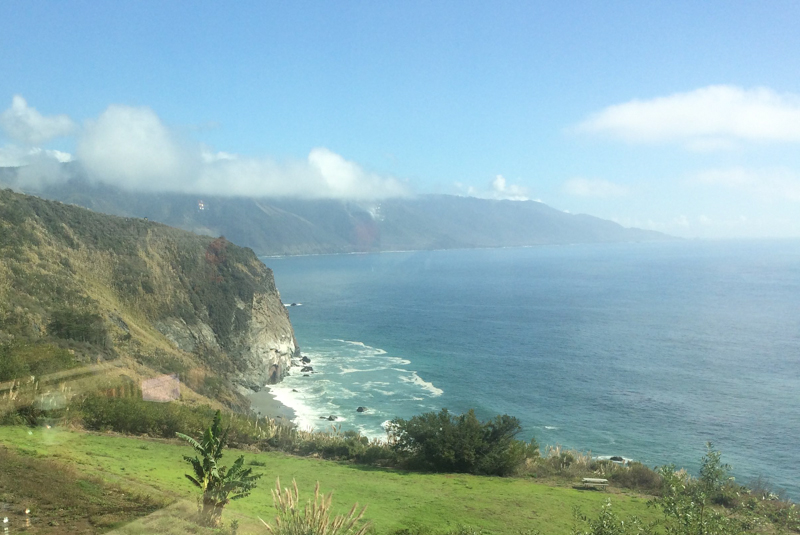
(132, 147)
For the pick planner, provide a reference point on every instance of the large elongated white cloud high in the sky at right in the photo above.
(709, 118)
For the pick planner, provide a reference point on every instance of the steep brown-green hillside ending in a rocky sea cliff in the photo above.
(131, 300)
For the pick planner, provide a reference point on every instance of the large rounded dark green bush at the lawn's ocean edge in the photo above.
(442, 442)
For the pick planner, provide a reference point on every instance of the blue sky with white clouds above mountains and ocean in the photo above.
(682, 117)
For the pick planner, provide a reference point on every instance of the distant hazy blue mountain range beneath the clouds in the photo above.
(313, 226)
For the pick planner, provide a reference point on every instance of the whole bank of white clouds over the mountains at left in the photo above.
(132, 148)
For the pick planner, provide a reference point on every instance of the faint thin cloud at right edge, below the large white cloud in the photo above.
(766, 184)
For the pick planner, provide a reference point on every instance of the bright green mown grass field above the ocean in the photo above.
(153, 470)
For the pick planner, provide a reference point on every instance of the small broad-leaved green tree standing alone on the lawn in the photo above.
(219, 484)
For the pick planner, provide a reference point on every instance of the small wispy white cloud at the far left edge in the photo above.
(26, 125)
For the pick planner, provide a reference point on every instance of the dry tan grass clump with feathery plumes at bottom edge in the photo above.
(315, 517)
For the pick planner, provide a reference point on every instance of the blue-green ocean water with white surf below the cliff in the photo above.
(645, 350)
